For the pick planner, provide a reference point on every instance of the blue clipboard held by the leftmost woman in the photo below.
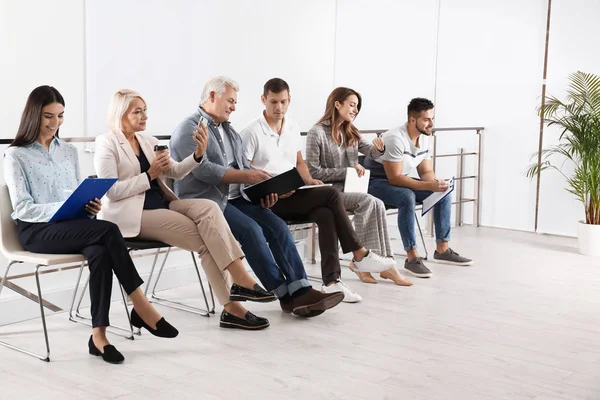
(88, 190)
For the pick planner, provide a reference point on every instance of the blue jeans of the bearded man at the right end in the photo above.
(406, 200)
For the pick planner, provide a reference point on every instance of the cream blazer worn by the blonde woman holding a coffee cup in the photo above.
(124, 202)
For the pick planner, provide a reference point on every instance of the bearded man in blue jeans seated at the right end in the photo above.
(404, 176)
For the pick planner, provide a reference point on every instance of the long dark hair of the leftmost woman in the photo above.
(29, 128)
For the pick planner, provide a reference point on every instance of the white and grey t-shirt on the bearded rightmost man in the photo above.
(398, 147)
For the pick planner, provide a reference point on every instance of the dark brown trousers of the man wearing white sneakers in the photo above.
(325, 207)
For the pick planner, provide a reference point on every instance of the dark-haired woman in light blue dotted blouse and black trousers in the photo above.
(39, 170)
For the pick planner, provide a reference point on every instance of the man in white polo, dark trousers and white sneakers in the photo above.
(272, 143)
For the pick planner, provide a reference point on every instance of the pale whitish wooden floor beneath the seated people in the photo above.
(523, 323)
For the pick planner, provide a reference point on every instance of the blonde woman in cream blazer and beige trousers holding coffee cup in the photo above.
(144, 207)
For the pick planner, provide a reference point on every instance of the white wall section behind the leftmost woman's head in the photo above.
(41, 43)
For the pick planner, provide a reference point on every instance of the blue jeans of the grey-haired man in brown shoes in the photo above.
(269, 247)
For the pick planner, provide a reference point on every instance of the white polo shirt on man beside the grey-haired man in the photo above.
(268, 150)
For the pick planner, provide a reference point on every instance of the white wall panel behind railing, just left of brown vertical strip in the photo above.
(489, 73)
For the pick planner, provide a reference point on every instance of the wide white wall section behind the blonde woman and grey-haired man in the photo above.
(167, 50)
